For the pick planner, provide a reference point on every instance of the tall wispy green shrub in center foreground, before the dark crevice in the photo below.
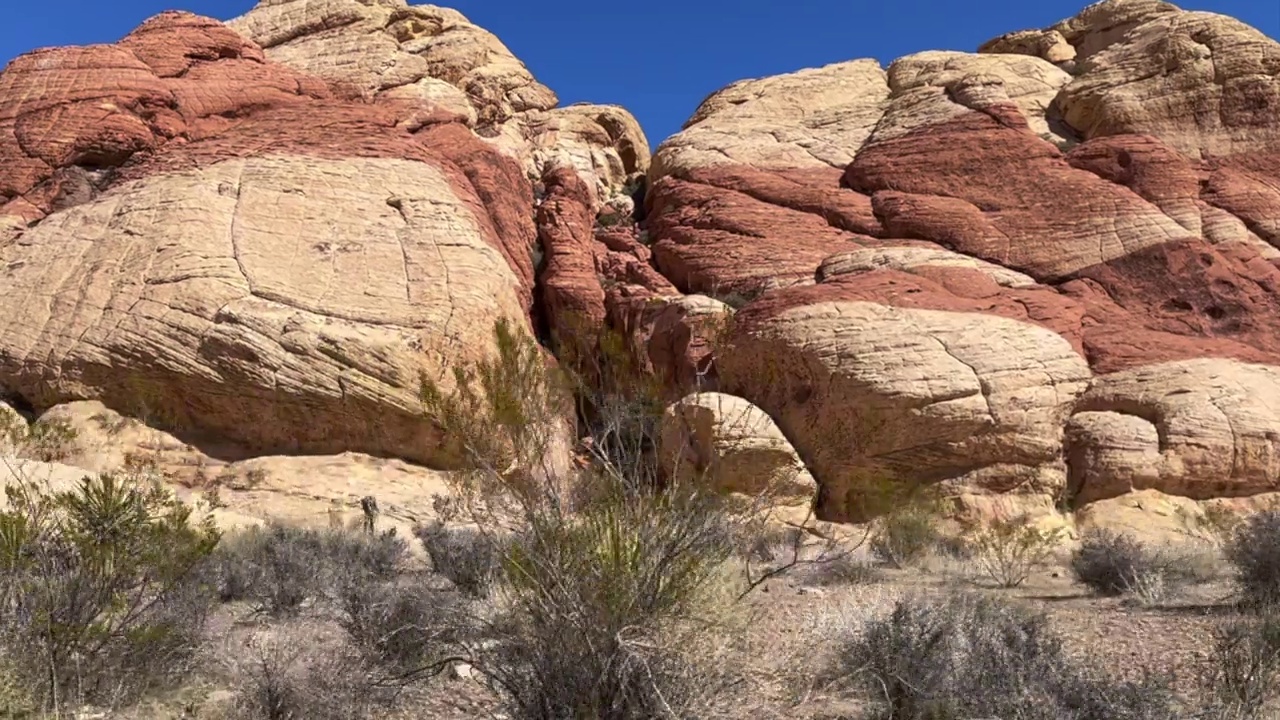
(614, 573)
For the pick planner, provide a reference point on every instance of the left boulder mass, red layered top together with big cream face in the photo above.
(271, 266)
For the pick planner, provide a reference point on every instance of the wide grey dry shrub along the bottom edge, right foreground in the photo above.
(967, 657)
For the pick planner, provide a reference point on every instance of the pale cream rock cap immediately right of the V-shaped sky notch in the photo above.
(812, 119)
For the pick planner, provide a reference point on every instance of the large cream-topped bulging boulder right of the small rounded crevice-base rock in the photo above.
(871, 395)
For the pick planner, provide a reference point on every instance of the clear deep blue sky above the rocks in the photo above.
(659, 58)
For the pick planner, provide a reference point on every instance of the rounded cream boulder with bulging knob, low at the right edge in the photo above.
(1196, 429)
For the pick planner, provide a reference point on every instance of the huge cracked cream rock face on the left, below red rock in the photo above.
(289, 304)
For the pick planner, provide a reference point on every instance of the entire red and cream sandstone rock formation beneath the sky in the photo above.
(1049, 270)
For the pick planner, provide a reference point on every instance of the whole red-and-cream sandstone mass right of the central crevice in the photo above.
(1046, 268)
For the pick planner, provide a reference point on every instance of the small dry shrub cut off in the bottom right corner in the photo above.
(1244, 673)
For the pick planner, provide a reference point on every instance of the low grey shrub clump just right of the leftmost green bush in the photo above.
(280, 568)
